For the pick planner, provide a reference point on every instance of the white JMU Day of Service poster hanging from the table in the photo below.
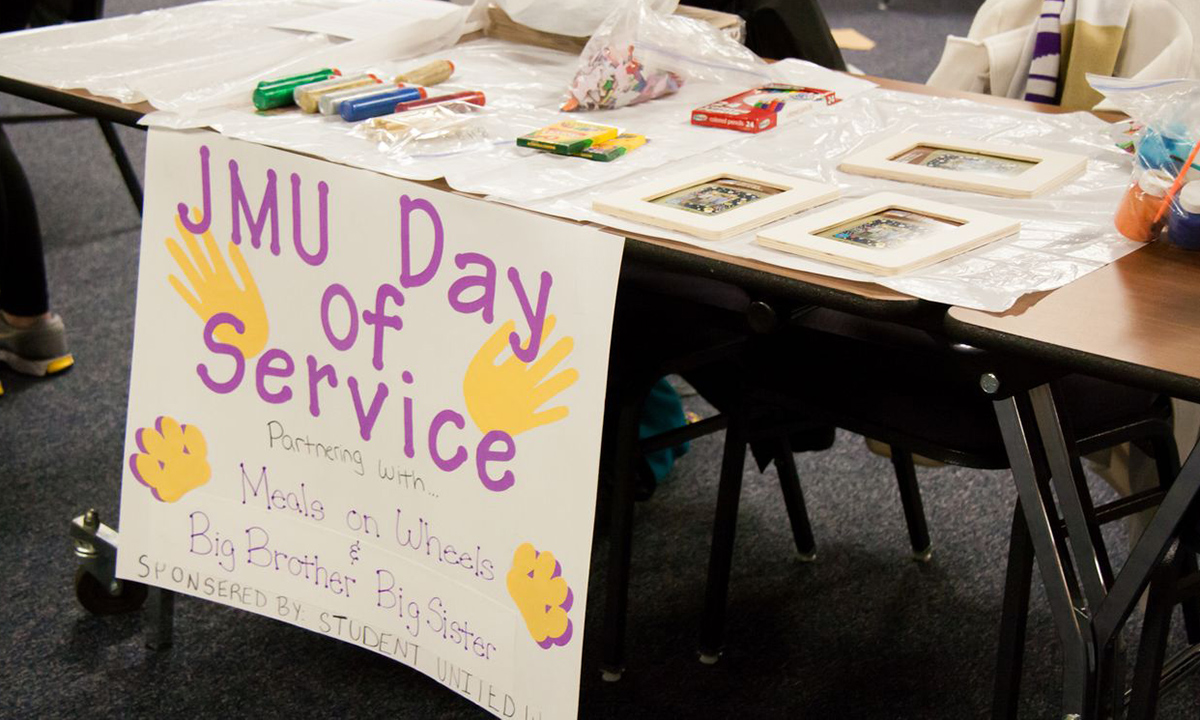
(371, 410)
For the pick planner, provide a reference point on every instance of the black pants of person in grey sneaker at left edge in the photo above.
(22, 268)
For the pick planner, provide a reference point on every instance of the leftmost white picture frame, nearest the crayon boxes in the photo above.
(716, 201)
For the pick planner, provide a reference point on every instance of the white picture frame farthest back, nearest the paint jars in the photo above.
(1043, 170)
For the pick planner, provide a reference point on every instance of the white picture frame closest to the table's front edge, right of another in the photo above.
(895, 233)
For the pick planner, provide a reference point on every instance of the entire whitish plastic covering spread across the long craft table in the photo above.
(1065, 236)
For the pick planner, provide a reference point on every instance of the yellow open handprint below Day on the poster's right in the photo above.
(507, 397)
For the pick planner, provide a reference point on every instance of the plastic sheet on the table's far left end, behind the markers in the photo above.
(194, 57)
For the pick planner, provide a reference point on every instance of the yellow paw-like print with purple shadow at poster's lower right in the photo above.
(542, 595)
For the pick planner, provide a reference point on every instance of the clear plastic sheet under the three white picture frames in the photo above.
(1065, 235)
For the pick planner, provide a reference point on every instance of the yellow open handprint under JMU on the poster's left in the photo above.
(214, 290)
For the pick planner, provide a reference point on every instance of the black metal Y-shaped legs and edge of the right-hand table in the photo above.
(1090, 604)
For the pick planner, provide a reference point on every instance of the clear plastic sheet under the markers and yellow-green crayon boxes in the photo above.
(524, 86)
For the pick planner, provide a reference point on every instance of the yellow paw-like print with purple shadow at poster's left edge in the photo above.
(173, 459)
